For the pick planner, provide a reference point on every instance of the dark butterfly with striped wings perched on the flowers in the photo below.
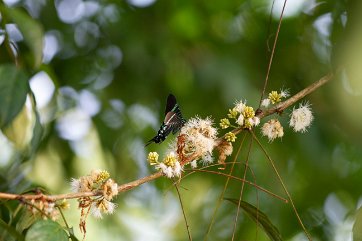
(172, 123)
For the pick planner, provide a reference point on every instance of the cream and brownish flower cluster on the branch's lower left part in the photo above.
(98, 181)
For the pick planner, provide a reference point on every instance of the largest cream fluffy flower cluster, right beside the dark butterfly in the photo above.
(196, 141)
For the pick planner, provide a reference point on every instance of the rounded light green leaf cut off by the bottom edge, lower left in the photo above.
(46, 230)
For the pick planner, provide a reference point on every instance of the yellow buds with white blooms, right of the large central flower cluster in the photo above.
(244, 117)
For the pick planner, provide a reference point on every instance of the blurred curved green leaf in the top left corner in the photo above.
(31, 30)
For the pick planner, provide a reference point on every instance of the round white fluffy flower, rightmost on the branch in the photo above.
(301, 118)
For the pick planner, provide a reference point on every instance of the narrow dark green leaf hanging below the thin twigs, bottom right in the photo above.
(260, 218)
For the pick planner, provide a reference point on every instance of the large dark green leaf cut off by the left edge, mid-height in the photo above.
(13, 90)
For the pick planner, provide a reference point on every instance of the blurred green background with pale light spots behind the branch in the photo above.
(108, 67)
